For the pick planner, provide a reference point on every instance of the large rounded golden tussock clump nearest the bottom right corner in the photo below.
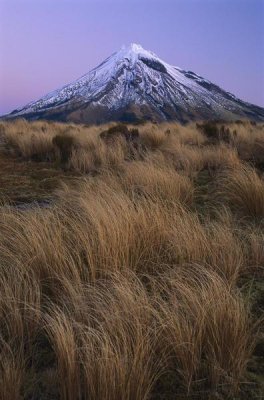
(198, 351)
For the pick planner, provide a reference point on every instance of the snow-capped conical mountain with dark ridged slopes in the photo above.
(134, 84)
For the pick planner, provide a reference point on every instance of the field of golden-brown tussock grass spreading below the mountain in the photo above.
(141, 279)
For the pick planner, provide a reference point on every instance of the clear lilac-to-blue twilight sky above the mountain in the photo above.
(45, 44)
